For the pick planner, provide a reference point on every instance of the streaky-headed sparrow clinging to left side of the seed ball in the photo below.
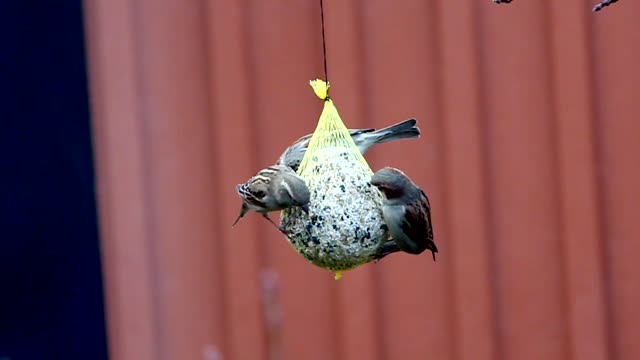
(276, 187)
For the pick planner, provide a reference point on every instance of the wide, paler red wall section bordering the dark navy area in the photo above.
(159, 141)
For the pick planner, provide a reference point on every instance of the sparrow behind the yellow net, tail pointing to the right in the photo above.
(364, 139)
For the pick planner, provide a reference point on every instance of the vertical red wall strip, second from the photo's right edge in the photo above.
(578, 194)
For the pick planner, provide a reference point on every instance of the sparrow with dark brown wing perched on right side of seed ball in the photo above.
(406, 212)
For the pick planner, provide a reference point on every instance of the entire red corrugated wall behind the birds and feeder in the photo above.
(530, 153)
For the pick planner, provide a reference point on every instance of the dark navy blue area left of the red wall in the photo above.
(51, 303)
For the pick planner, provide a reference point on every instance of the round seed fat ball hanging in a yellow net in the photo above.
(344, 227)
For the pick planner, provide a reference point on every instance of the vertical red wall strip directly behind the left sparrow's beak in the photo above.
(233, 136)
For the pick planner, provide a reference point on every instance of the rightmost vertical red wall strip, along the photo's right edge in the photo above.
(616, 54)
